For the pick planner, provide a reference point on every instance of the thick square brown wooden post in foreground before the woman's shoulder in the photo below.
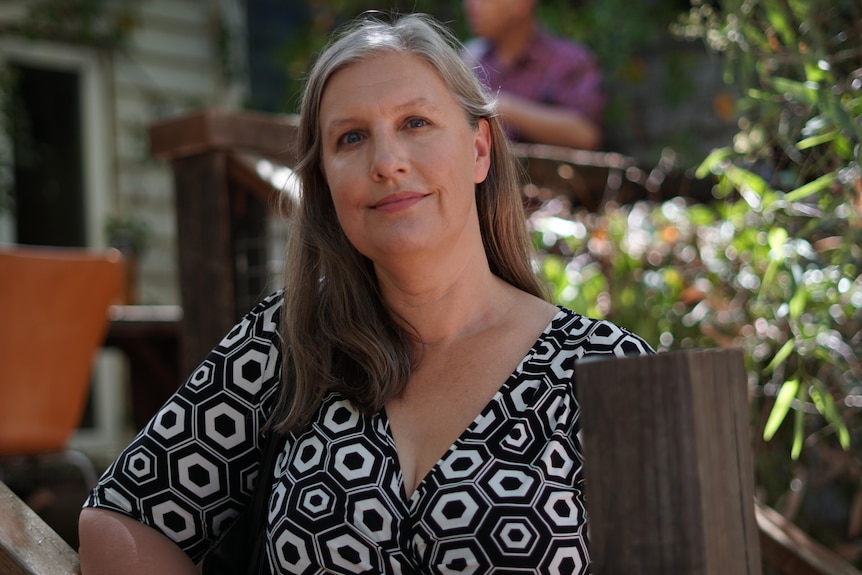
(668, 464)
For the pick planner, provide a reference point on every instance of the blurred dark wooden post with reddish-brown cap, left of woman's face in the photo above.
(216, 217)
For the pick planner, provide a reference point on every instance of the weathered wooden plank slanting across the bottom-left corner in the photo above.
(28, 546)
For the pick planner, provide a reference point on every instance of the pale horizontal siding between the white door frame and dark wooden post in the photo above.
(171, 65)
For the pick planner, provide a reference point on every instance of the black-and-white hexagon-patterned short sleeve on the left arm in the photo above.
(193, 467)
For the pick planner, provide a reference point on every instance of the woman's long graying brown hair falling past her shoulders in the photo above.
(338, 334)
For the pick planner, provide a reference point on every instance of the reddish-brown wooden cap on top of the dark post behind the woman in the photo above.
(212, 129)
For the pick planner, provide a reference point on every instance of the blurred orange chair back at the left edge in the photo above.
(54, 305)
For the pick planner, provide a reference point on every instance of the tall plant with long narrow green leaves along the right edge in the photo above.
(797, 162)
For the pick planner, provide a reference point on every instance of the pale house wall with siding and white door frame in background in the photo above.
(170, 64)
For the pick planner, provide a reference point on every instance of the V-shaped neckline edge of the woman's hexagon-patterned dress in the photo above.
(412, 499)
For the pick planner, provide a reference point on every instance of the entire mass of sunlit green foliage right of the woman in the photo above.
(774, 266)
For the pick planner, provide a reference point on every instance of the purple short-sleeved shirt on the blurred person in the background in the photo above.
(551, 70)
